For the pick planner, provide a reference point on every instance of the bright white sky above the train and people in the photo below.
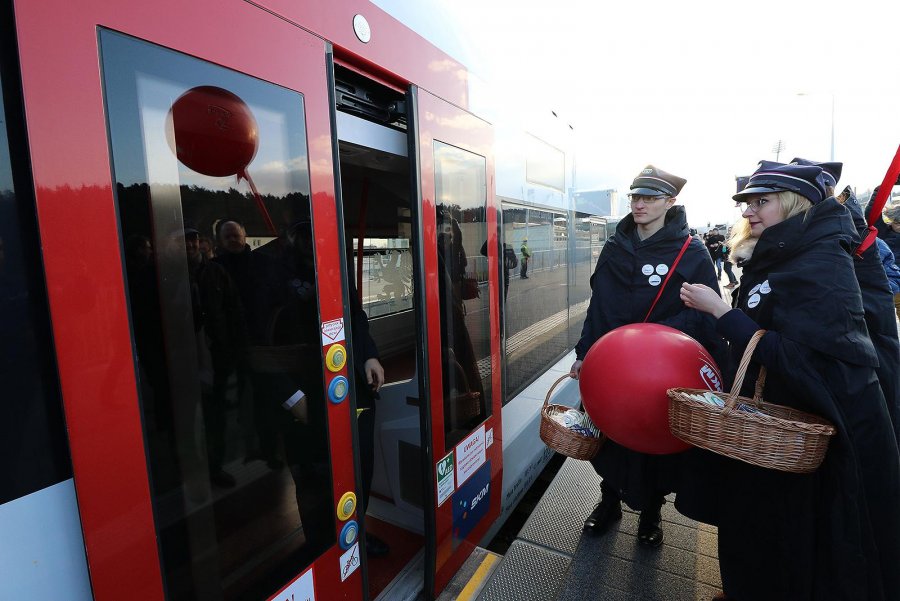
(700, 89)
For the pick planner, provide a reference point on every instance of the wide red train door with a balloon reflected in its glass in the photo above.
(182, 156)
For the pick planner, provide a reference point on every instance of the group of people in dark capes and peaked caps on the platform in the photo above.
(822, 292)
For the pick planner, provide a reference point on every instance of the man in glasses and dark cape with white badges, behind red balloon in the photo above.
(632, 266)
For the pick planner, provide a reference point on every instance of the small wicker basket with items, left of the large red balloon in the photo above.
(567, 430)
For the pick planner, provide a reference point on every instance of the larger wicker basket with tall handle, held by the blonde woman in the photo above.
(774, 436)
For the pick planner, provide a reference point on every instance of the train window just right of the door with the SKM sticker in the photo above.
(537, 303)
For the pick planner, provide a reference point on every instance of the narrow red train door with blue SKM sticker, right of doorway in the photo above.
(459, 224)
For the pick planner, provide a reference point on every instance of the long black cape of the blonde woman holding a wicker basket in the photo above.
(833, 534)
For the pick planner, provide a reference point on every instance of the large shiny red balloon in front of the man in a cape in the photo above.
(625, 376)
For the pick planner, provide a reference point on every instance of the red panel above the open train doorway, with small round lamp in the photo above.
(394, 51)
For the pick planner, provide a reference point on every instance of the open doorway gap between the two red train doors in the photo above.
(377, 212)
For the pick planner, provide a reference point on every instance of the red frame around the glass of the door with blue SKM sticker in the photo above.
(439, 120)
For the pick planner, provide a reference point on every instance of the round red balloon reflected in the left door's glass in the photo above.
(215, 131)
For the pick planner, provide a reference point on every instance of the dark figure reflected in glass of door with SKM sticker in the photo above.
(463, 390)
